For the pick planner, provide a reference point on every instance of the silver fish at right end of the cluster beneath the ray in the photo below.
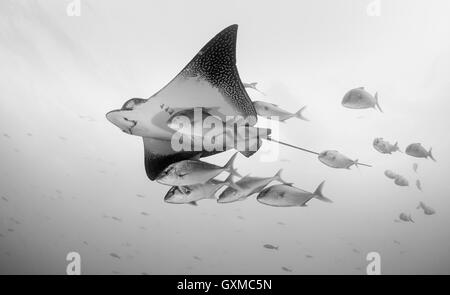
(282, 195)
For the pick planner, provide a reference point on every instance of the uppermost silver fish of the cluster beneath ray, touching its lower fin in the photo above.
(189, 172)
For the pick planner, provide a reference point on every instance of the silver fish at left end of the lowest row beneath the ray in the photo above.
(193, 193)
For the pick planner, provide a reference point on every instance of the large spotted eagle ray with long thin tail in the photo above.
(210, 80)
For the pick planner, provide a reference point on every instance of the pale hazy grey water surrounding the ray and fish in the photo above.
(70, 181)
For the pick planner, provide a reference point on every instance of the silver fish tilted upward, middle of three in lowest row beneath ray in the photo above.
(248, 185)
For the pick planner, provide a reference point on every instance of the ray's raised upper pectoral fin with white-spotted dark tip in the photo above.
(211, 80)
